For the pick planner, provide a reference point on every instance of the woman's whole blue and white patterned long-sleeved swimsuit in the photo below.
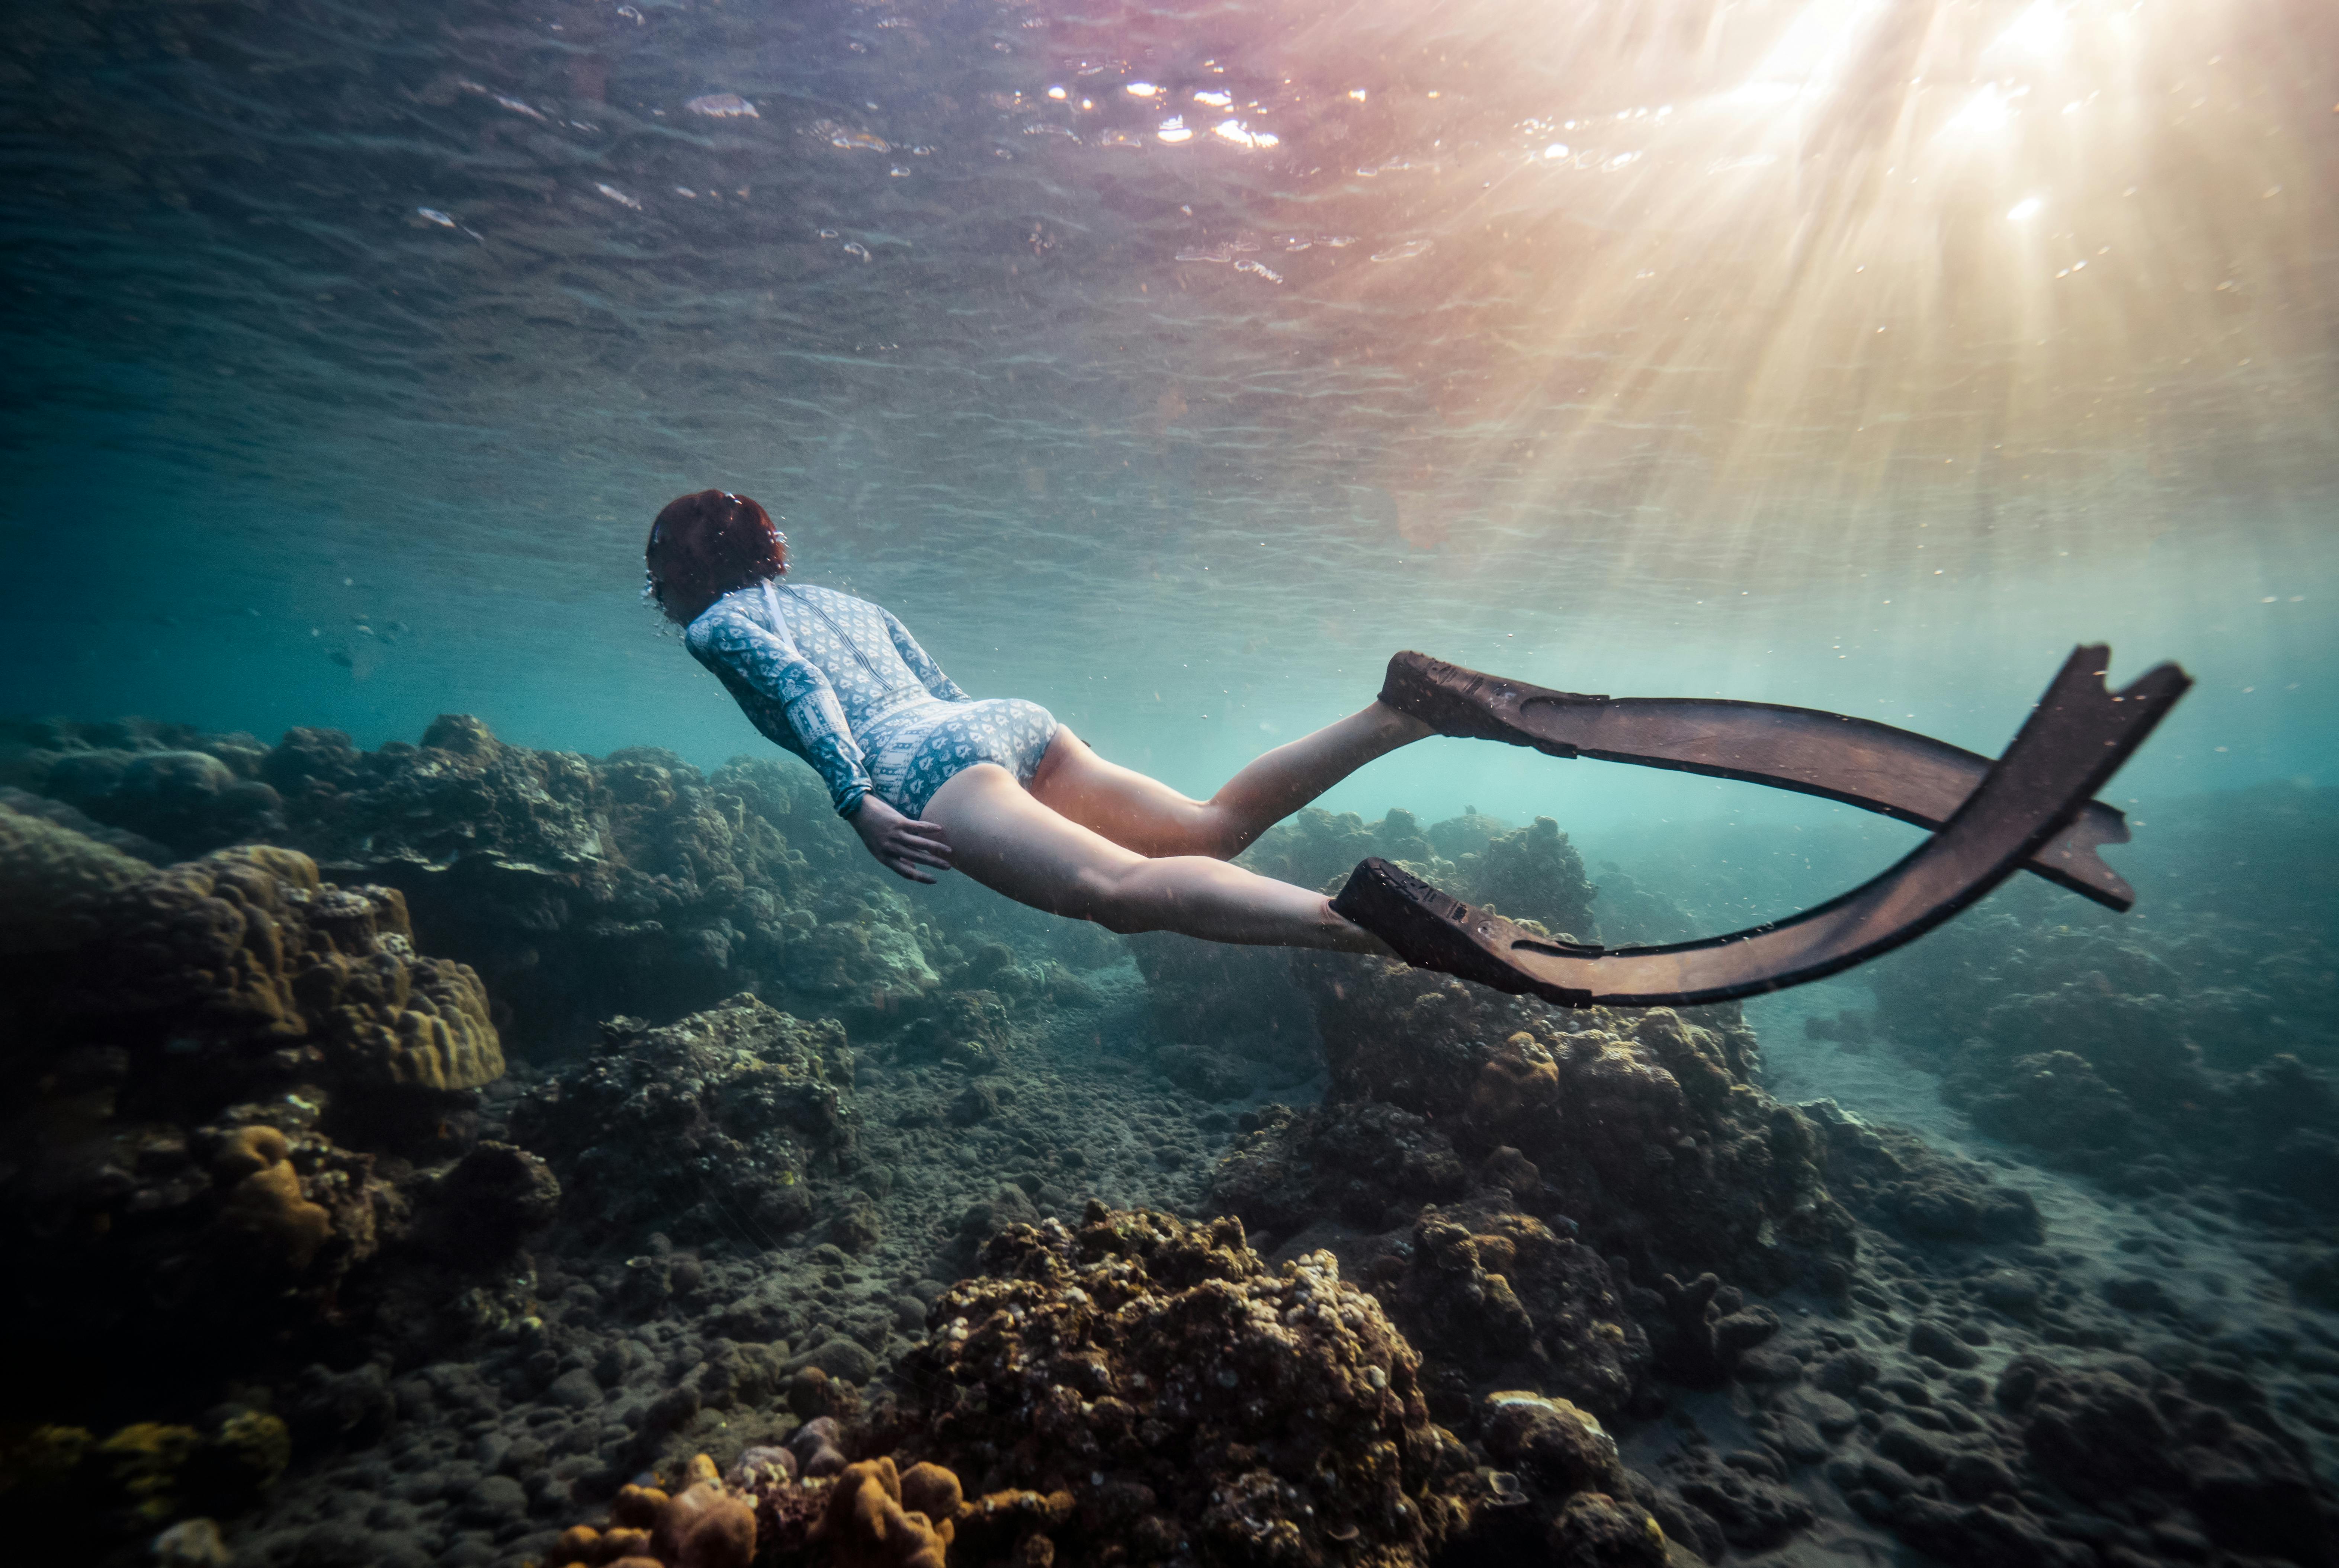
(846, 687)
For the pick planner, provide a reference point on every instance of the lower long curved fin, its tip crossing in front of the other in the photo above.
(2074, 743)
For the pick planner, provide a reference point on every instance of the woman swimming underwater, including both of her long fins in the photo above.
(1002, 792)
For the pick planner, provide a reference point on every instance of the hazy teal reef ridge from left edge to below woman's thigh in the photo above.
(577, 888)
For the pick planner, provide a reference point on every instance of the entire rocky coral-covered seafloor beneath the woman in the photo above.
(476, 1155)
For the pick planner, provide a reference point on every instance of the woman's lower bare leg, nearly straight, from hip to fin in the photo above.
(1009, 841)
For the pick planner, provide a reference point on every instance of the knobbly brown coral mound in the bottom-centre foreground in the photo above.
(1180, 1391)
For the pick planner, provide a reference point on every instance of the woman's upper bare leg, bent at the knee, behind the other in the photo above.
(1150, 818)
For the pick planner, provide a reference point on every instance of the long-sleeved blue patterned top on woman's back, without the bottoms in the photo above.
(817, 670)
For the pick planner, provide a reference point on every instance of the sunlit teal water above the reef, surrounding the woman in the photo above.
(1175, 366)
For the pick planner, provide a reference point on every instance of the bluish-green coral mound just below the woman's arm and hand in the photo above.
(635, 883)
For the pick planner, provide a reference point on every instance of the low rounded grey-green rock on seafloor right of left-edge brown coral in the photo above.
(710, 1127)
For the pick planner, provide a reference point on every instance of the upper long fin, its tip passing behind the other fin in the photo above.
(1814, 752)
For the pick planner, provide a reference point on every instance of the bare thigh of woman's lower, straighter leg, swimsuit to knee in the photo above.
(1014, 844)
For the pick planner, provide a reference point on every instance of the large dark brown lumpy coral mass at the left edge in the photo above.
(242, 1143)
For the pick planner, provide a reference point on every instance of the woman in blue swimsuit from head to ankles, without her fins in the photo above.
(995, 788)
